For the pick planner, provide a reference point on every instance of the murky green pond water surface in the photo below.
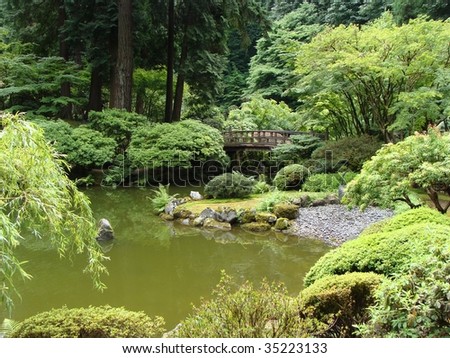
(159, 268)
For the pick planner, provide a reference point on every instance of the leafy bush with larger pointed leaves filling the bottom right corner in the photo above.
(415, 303)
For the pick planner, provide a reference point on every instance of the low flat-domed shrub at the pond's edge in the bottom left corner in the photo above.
(91, 322)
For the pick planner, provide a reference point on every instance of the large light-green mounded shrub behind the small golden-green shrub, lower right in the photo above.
(384, 253)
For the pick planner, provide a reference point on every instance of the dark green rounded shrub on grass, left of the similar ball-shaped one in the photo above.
(229, 185)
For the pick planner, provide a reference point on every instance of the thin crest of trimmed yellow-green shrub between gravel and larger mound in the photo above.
(414, 216)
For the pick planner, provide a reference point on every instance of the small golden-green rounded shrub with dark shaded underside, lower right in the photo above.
(333, 304)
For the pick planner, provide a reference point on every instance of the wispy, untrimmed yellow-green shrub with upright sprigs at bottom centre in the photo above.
(243, 313)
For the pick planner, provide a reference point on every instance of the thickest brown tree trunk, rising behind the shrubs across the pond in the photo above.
(122, 79)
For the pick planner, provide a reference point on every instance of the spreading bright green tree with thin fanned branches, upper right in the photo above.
(399, 72)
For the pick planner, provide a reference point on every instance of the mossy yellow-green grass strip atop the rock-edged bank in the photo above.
(252, 202)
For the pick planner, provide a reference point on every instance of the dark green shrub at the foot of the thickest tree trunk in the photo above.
(116, 124)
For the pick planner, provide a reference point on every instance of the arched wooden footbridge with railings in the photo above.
(256, 140)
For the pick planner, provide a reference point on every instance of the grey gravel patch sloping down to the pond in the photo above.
(335, 224)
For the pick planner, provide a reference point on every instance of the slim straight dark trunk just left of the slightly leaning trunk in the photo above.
(170, 60)
